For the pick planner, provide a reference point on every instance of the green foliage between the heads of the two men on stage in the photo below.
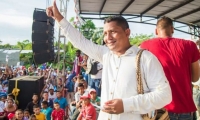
(137, 39)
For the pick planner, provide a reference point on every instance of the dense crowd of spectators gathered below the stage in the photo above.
(63, 95)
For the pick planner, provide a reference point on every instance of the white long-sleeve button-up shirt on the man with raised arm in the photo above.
(119, 77)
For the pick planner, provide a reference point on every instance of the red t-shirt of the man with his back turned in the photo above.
(176, 56)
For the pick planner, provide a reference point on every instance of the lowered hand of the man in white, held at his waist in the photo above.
(114, 106)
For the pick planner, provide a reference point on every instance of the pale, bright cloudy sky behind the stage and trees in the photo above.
(16, 17)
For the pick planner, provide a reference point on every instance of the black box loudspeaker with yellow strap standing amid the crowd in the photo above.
(28, 85)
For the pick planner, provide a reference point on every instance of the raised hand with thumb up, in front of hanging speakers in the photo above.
(54, 12)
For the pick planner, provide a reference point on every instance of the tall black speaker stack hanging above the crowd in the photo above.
(42, 37)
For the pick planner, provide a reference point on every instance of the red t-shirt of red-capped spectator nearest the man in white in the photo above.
(88, 113)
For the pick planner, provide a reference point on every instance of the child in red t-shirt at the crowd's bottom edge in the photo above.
(58, 113)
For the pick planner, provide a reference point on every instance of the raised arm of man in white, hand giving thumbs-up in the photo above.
(75, 37)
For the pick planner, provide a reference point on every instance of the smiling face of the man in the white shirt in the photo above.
(116, 38)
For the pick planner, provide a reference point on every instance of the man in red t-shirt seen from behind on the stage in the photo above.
(179, 59)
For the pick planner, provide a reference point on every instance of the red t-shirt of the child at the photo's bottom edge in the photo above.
(58, 114)
